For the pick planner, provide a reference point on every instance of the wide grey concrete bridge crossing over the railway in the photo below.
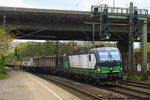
(48, 24)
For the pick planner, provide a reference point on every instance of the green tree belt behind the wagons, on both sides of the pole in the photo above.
(48, 48)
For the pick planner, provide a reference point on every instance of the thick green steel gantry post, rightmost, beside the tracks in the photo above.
(144, 50)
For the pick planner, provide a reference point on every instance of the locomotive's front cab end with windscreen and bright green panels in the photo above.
(108, 63)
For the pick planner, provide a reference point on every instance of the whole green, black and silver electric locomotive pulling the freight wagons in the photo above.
(102, 65)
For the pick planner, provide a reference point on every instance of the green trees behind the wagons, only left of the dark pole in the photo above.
(32, 49)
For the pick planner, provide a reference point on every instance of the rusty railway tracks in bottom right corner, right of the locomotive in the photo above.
(133, 90)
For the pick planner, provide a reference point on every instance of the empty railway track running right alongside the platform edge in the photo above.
(92, 95)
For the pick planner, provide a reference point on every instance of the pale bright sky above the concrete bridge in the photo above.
(80, 5)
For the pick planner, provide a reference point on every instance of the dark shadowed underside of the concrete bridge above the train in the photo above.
(47, 34)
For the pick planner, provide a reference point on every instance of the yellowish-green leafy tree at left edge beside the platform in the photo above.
(5, 45)
